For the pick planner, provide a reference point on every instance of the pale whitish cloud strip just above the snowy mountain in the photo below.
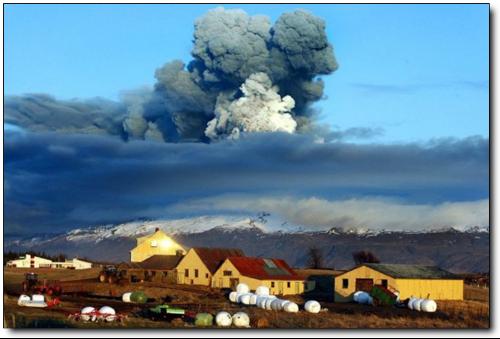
(366, 213)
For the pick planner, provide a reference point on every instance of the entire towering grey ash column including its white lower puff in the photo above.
(246, 76)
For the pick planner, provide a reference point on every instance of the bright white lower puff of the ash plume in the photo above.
(260, 109)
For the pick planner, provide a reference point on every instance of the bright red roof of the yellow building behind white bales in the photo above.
(264, 269)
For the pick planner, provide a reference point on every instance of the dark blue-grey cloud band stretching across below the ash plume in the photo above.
(55, 181)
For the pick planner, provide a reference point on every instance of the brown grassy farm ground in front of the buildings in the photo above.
(451, 314)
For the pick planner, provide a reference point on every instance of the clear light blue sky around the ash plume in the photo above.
(416, 71)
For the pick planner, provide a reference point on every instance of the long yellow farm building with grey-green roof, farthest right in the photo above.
(409, 280)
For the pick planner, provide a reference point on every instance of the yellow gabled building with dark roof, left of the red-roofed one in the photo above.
(200, 263)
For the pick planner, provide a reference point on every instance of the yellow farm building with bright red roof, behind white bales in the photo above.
(273, 273)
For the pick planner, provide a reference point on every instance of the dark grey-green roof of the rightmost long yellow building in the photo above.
(412, 271)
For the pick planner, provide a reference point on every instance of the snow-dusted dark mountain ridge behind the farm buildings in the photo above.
(457, 251)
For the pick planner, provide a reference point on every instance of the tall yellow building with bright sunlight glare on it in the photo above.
(157, 243)
